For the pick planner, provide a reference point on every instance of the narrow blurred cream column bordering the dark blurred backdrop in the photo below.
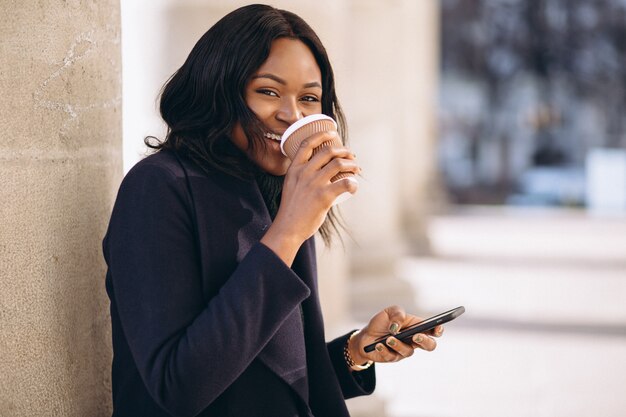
(420, 190)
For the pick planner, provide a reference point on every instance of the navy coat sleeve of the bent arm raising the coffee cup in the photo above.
(187, 351)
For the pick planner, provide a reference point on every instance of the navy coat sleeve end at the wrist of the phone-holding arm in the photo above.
(353, 384)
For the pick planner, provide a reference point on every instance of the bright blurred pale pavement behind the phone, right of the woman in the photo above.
(545, 328)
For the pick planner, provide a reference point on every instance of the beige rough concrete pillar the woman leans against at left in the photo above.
(60, 165)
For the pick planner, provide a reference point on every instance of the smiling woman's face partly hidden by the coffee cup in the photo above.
(285, 88)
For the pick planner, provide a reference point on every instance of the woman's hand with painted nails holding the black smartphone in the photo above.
(390, 320)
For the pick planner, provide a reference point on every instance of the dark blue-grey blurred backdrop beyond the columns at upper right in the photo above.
(531, 91)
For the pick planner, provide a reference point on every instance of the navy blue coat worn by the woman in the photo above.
(206, 320)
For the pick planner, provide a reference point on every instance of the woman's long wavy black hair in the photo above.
(204, 99)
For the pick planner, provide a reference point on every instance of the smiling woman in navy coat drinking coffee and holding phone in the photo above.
(210, 252)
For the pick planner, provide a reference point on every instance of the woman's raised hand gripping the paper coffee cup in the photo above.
(308, 193)
